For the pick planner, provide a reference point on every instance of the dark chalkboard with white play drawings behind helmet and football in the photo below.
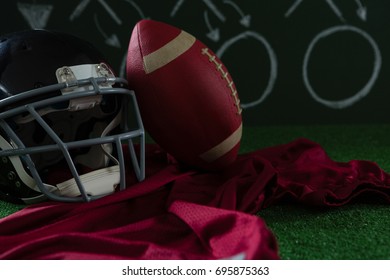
(293, 61)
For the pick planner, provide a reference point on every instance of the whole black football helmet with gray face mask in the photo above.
(68, 125)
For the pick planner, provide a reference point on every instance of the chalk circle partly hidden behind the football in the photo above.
(272, 57)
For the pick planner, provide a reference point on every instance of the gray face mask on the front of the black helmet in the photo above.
(85, 125)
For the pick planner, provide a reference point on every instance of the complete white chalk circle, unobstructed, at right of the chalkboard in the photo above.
(341, 104)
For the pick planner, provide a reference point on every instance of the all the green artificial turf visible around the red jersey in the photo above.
(359, 230)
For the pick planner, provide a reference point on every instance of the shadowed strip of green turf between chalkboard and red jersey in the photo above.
(341, 142)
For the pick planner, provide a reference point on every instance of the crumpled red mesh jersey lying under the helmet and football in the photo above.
(179, 213)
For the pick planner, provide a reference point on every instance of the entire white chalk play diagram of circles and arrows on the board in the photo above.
(38, 15)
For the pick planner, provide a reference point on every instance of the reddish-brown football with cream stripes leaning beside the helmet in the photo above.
(188, 100)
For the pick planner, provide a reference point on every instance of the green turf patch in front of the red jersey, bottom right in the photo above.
(352, 232)
